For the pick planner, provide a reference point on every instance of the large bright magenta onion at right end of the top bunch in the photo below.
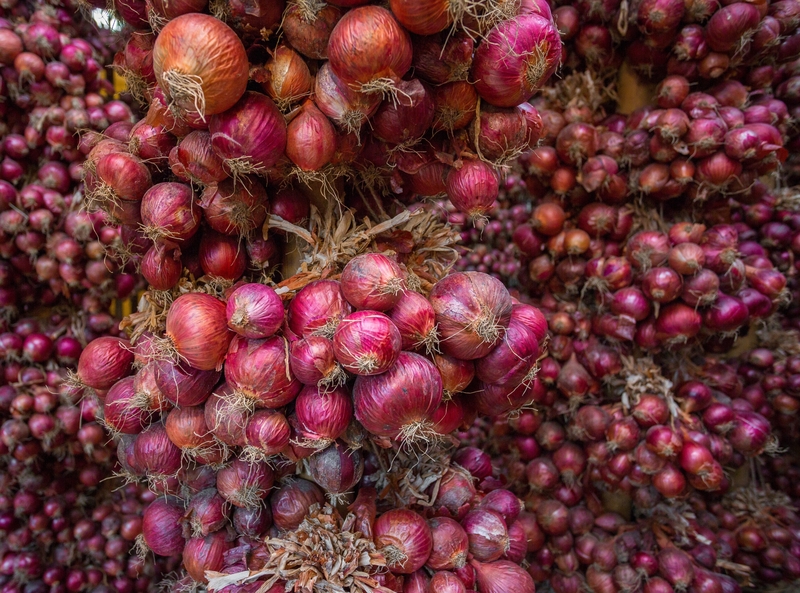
(515, 59)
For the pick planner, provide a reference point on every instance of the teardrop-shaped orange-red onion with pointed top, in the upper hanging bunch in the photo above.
(310, 138)
